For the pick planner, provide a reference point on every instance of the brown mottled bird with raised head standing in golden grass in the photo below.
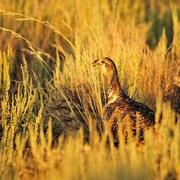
(120, 111)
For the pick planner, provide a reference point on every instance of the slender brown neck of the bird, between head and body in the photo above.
(114, 88)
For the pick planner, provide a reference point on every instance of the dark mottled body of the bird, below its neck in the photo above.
(124, 113)
